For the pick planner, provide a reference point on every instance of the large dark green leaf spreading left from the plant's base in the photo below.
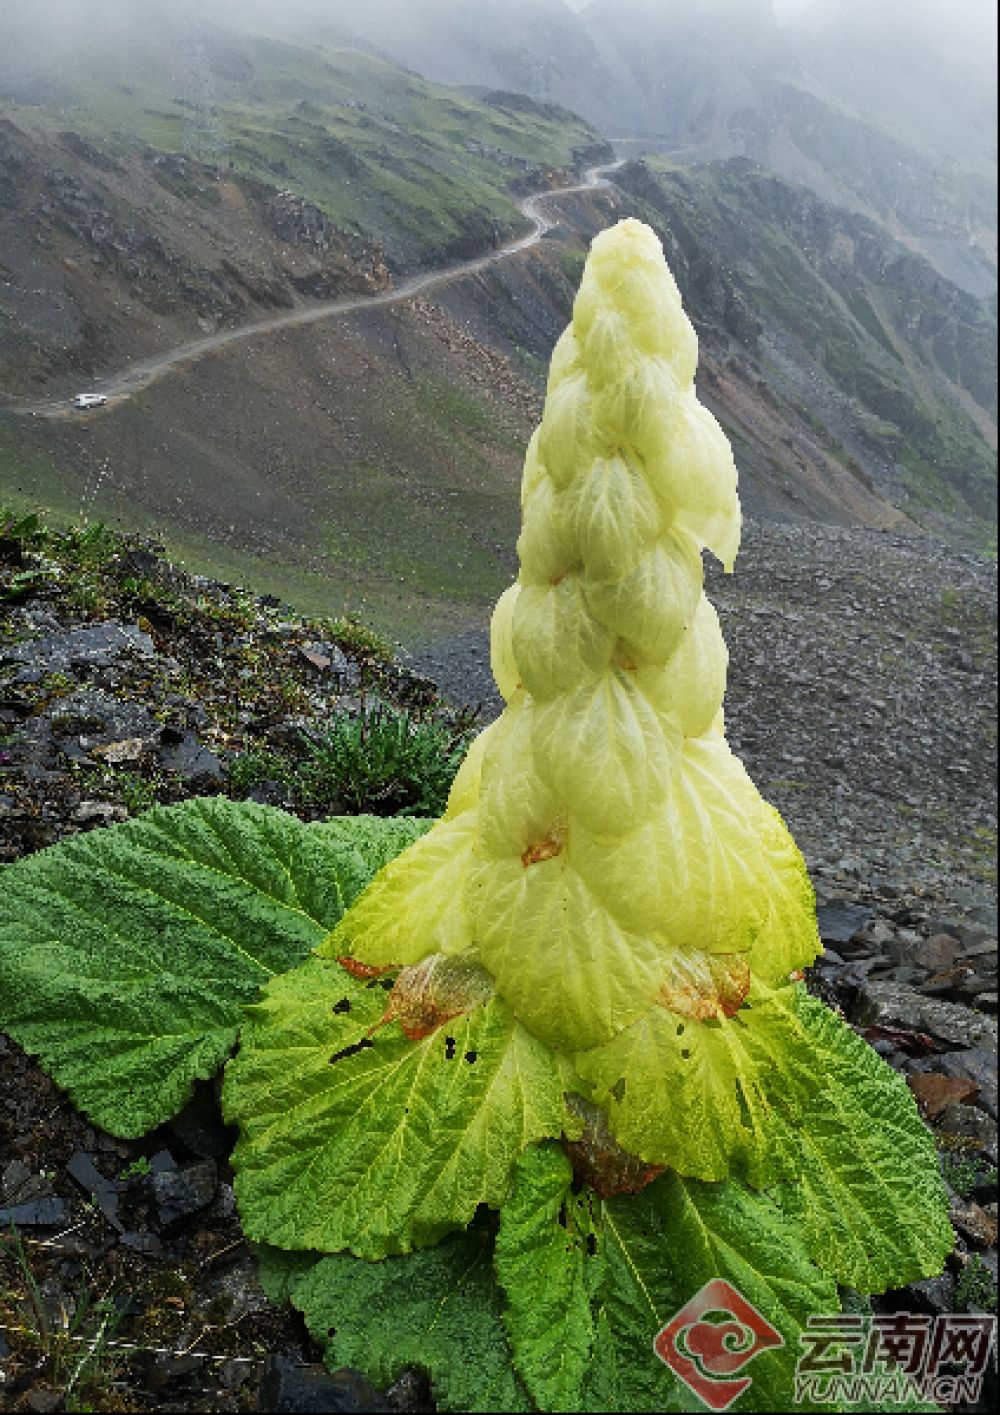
(127, 956)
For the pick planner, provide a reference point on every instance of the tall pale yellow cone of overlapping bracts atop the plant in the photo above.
(605, 857)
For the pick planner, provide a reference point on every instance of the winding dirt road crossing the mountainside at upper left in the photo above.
(124, 384)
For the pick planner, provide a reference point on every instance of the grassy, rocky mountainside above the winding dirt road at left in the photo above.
(172, 179)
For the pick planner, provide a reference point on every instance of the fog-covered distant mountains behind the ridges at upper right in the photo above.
(888, 108)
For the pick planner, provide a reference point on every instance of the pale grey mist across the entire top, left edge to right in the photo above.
(873, 104)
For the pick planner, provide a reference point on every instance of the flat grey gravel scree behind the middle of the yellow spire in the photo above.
(862, 697)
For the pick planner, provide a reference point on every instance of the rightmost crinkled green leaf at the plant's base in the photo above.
(868, 1195)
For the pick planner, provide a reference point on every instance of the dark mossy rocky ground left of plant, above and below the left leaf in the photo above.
(127, 683)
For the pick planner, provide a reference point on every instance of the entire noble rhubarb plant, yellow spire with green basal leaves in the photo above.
(517, 1085)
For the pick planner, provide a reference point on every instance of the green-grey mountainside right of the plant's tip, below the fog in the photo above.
(845, 329)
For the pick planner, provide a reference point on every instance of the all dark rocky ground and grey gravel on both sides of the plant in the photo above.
(862, 698)
